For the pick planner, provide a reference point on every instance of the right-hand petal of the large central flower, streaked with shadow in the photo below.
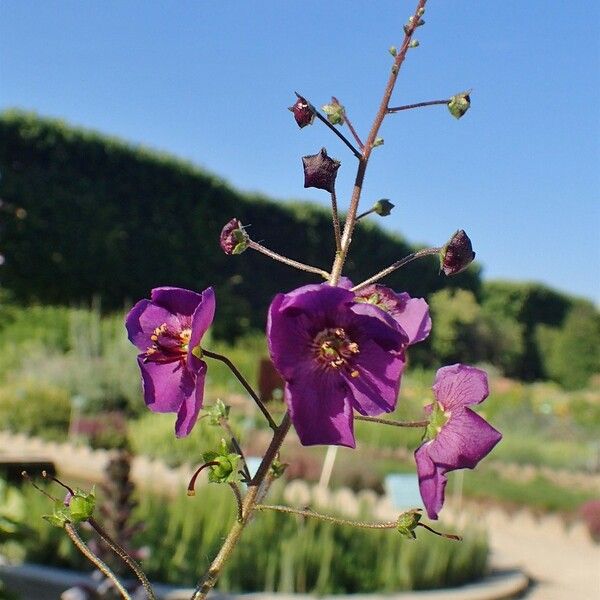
(375, 390)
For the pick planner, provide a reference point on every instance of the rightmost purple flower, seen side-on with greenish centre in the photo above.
(457, 438)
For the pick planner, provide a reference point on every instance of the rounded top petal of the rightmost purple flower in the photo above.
(460, 385)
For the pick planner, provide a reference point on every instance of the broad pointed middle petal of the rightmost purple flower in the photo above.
(463, 441)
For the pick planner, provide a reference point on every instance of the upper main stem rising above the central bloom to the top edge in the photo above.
(340, 258)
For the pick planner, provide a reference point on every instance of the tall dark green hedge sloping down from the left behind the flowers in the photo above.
(86, 215)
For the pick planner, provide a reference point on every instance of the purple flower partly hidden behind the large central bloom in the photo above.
(412, 314)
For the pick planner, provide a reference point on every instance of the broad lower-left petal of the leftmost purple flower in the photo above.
(166, 385)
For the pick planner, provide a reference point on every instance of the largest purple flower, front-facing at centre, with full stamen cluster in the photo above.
(336, 356)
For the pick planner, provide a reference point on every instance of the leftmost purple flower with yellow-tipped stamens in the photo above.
(167, 329)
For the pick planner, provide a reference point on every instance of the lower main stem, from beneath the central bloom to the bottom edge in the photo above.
(209, 580)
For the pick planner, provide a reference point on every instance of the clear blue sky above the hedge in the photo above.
(210, 81)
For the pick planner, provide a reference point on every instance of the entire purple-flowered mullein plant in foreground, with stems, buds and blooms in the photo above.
(339, 346)
